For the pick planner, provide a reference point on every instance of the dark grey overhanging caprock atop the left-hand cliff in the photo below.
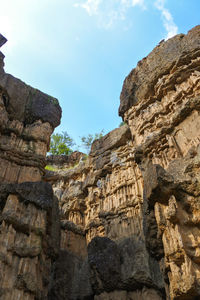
(25, 103)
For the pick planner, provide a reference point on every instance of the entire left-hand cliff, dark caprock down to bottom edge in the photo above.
(29, 233)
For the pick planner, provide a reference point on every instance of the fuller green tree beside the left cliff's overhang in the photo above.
(61, 144)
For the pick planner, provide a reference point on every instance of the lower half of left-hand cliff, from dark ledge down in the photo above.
(27, 242)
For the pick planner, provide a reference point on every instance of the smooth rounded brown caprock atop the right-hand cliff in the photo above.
(139, 85)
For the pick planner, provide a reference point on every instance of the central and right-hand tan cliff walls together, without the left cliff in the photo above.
(134, 201)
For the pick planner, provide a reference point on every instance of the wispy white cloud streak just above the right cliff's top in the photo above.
(168, 21)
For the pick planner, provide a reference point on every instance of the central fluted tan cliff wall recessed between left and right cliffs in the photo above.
(101, 206)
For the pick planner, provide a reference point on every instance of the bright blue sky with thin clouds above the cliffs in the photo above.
(80, 51)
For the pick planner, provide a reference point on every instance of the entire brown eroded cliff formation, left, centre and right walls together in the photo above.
(127, 226)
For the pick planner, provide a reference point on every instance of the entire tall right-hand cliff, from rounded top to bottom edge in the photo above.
(160, 102)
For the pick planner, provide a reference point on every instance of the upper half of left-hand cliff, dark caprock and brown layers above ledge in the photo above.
(27, 120)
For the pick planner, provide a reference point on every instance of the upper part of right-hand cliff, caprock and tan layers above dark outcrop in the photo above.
(164, 120)
